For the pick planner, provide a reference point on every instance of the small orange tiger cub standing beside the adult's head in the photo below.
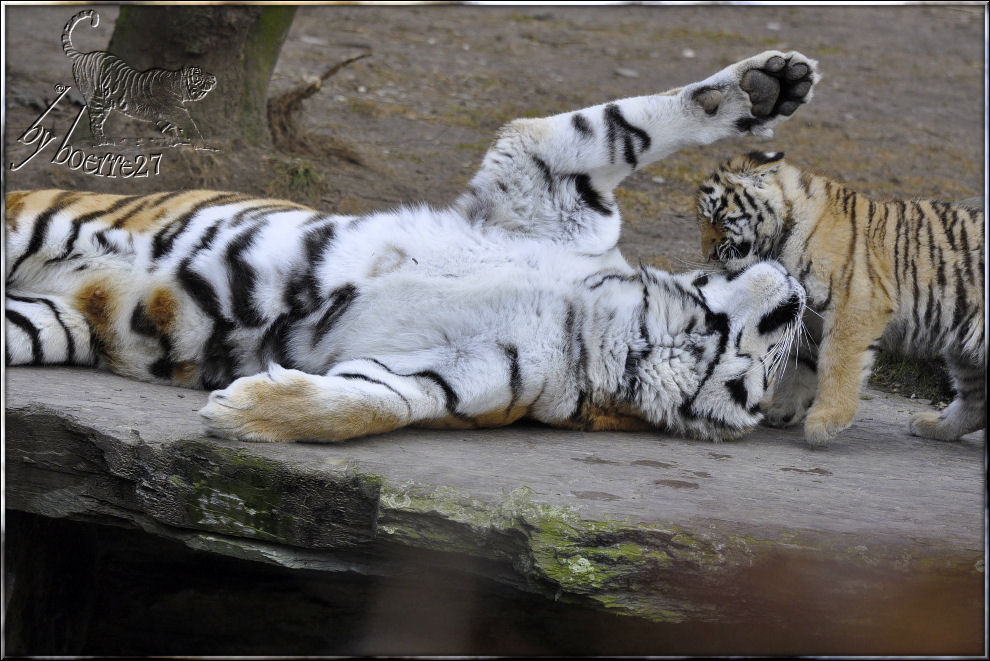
(904, 275)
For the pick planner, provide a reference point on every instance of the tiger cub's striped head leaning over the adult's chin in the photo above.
(739, 210)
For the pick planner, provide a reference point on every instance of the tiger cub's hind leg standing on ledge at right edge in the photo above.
(965, 414)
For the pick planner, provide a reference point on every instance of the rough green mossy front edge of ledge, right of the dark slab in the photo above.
(575, 558)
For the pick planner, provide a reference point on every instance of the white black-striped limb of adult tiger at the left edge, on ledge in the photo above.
(45, 330)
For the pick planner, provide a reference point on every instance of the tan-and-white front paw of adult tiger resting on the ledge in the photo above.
(257, 408)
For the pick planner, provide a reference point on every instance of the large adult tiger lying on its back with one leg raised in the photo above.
(514, 302)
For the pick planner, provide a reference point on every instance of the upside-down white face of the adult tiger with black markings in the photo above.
(742, 325)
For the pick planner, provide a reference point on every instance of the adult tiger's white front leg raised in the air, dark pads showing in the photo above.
(553, 177)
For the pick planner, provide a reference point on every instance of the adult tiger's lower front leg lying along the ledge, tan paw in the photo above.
(367, 396)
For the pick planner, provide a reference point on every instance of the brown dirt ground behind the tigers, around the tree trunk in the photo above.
(900, 109)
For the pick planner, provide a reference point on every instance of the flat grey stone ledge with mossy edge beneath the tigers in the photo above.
(650, 525)
